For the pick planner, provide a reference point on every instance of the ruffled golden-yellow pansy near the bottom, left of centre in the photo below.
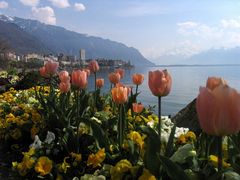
(96, 159)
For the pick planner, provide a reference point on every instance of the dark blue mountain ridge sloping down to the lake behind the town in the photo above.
(57, 40)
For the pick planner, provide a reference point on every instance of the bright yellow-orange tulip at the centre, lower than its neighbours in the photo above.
(119, 95)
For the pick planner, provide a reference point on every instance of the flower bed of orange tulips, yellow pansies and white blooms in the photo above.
(59, 130)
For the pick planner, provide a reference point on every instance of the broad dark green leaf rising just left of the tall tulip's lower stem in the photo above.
(151, 159)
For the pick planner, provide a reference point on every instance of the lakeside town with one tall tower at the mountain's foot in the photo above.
(35, 60)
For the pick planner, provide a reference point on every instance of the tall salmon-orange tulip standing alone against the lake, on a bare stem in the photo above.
(159, 82)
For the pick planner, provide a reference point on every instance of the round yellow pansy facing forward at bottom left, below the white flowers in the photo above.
(43, 166)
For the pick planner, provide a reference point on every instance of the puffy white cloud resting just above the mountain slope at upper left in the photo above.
(44, 14)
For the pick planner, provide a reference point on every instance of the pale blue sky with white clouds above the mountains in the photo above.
(154, 27)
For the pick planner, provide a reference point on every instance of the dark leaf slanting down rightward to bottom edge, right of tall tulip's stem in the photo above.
(173, 170)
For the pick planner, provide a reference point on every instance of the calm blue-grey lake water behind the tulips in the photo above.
(185, 87)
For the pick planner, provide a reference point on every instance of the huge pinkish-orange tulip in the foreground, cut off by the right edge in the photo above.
(219, 110)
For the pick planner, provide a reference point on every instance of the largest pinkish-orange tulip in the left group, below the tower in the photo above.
(79, 79)
